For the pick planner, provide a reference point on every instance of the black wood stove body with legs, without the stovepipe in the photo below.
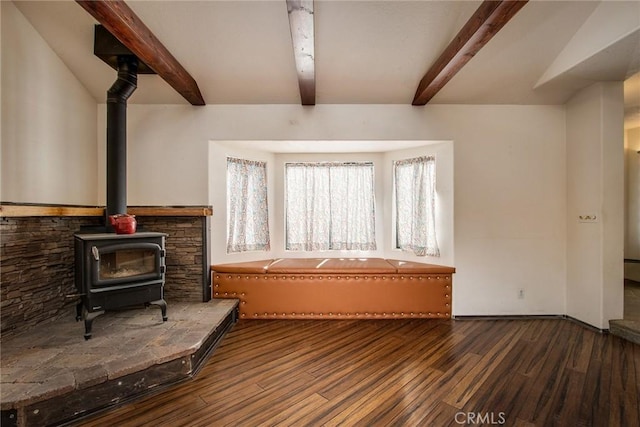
(118, 270)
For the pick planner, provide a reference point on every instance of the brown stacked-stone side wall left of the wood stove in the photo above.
(37, 270)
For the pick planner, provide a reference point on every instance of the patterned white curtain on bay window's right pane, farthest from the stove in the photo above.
(415, 189)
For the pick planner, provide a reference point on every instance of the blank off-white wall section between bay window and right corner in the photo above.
(509, 177)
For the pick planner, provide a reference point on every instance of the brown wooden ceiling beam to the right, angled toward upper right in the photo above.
(485, 23)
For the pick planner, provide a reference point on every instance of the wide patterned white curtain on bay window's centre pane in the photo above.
(330, 206)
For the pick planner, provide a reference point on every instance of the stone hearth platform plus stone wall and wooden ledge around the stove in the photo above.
(49, 374)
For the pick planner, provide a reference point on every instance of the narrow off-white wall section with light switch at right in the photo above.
(595, 187)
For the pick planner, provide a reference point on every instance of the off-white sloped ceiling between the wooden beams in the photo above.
(373, 52)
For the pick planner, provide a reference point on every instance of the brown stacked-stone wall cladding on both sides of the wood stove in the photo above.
(37, 265)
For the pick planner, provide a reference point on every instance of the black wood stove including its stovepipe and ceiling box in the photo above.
(118, 270)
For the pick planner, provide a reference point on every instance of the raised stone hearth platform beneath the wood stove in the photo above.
(51, 375)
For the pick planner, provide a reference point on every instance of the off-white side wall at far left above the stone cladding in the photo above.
(48, 121)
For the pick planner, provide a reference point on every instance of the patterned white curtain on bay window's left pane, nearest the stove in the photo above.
(247, 212)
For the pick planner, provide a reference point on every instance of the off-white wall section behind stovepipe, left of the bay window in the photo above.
(167, 155)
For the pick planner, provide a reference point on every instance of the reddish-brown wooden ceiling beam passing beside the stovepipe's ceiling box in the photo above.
(125, 25)
